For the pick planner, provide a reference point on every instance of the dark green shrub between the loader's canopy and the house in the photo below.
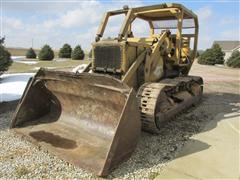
(212, 56)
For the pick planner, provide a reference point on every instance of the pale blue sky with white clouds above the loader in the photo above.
(55, 22)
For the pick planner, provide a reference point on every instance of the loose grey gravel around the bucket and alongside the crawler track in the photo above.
(19, 158)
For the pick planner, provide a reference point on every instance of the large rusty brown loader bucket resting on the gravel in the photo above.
(90, 120)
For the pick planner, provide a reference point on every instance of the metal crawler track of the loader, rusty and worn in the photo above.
(159, 102)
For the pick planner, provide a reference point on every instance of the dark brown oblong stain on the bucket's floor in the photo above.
(54, 140)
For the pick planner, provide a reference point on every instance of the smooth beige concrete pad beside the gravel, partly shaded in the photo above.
(212, 154)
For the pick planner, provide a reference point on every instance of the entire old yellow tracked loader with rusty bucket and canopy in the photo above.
(94, 118)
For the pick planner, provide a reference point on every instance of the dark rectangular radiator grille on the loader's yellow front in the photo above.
(107, 57)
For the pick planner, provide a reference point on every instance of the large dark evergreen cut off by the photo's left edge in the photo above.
(5, 59)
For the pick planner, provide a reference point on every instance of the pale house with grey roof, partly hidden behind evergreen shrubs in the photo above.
(228, 47)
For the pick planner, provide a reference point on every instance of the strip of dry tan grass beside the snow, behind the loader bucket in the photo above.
(17, 67)
